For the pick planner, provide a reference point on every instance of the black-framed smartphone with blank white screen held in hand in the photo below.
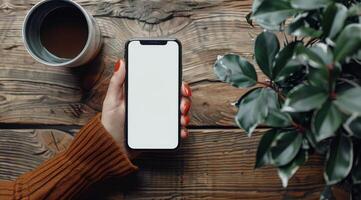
(153, 94)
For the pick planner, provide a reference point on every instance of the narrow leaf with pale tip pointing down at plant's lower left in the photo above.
(286, 172)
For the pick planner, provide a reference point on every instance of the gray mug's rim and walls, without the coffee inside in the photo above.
(33, 43)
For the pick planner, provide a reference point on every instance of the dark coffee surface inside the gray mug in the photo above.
(64, 32)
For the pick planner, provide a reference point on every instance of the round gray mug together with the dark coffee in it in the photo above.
(61, 33)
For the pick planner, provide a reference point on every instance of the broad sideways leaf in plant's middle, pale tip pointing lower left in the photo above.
(304, 98)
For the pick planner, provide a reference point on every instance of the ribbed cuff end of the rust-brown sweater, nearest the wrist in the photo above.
(94, 150)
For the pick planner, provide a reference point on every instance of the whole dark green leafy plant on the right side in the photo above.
(311, 99)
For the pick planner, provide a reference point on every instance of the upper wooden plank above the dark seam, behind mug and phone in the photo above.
(31, 93)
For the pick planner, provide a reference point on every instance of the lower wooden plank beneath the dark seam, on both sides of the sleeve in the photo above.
(210, 164)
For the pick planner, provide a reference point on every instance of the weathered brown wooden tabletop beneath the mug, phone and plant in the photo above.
(41, 107)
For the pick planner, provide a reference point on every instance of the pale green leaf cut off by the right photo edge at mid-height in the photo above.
(349, 101)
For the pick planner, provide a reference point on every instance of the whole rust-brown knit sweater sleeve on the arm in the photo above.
(92, 156)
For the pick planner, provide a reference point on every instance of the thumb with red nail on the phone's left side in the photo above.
(115, 88)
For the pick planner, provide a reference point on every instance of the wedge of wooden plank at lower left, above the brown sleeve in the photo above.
(23, 150)
